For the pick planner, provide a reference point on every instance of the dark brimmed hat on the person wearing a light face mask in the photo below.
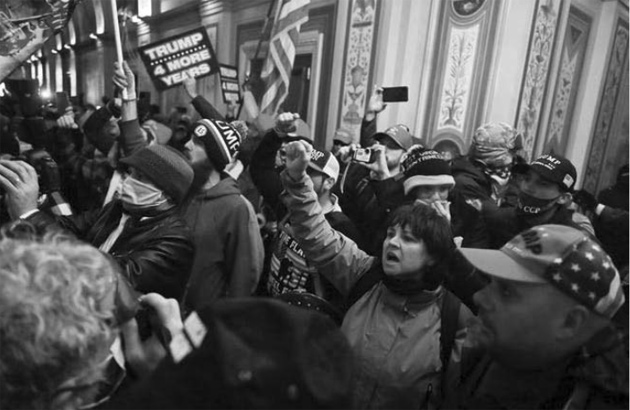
(165, 167)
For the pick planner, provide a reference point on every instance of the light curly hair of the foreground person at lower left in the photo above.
(55, 314)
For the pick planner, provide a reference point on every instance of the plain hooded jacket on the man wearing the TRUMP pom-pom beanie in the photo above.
(229, 257)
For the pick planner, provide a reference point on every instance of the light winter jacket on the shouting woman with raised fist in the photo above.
(396, 338)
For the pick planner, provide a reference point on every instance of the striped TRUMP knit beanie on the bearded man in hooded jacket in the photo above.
(220, 139)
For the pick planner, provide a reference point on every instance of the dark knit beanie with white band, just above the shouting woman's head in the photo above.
(425, 167)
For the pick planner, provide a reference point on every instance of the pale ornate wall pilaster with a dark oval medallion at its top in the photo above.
(457, 96)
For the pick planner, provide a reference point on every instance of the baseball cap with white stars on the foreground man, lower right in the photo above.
(562, 256)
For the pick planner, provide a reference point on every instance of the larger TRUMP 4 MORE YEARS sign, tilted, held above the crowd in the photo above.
(172, 60)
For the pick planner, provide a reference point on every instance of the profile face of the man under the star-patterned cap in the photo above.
(516, 319)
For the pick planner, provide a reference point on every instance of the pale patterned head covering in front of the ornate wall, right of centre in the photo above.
(493, 144)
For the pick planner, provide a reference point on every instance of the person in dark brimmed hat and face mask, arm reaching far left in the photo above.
(141, 230)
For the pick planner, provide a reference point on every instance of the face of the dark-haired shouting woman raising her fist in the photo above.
(403, 253)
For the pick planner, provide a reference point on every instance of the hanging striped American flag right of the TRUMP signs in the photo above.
(276, 73)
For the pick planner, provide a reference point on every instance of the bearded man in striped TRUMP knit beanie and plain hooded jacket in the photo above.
(229, 257)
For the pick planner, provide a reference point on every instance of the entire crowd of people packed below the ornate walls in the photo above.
(194, 260)
